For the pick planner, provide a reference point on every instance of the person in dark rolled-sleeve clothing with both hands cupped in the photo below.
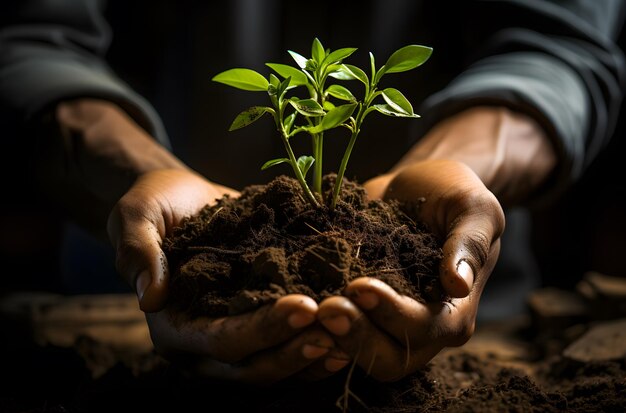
(521, 98)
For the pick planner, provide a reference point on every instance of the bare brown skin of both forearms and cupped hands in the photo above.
(462, 168)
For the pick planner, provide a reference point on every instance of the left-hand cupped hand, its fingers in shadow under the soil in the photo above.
(269, 344)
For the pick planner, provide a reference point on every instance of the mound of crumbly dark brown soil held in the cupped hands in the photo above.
(248, 251)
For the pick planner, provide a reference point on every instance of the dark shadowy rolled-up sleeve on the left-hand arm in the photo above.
(53, 50)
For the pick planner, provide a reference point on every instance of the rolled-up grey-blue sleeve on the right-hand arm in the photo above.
(557, 61)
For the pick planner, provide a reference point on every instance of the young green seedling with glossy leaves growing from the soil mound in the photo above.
(326, 106)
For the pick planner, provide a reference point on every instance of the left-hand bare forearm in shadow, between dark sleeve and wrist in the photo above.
(90, 155)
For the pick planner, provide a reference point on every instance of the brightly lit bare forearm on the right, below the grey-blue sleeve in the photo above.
(509, 151)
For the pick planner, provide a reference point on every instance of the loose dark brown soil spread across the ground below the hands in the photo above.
(506, 370)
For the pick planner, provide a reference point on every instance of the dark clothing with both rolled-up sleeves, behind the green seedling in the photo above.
(555, 60)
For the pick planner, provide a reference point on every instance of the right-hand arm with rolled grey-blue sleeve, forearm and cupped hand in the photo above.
(518, 126)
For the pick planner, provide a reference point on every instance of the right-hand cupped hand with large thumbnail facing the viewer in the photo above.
(391, 335)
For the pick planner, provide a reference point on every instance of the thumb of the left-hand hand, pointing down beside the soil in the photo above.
(139, 258)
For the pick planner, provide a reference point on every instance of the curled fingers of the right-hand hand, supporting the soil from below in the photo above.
(392, 335)
